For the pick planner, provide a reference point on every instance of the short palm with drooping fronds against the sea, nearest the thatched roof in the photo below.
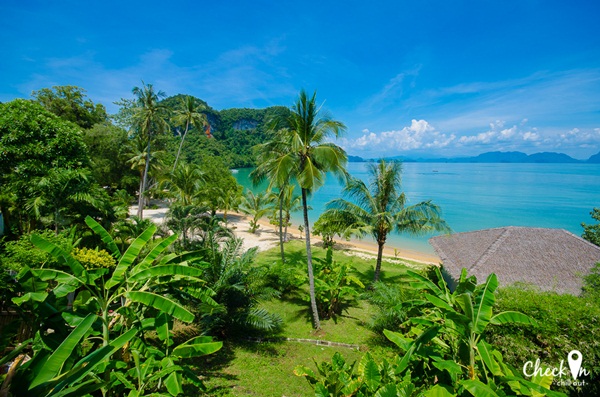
(380, 208)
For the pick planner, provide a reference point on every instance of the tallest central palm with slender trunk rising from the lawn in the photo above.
(300, 150)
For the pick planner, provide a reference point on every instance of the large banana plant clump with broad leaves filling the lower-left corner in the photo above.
(93, 325)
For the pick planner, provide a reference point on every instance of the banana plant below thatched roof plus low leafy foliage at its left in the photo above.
(444, 354)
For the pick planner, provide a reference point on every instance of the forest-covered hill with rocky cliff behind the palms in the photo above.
(233, 132)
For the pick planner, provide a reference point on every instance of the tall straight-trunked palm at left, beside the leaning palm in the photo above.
(149, 120)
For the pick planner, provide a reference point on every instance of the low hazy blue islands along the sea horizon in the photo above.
(496, 157)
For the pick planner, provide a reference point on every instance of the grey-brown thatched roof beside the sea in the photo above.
(552, 259)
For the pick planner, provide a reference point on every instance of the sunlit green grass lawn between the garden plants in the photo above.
(245, 368)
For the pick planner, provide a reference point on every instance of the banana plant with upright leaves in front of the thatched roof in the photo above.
(448, 338)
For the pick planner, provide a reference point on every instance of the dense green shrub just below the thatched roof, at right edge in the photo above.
(564, 323)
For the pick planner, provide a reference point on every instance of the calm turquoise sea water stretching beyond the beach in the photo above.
(482, 196)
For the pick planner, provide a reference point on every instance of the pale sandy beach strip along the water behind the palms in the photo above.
(266, 237)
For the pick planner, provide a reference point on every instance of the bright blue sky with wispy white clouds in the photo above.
(419, 78)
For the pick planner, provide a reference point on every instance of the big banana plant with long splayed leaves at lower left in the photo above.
(128, 300)
